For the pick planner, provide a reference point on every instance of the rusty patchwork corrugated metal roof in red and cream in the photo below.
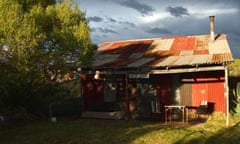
(162, 52)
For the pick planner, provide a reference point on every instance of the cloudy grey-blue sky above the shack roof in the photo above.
(136, 19)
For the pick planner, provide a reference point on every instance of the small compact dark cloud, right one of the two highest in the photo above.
(177, 11)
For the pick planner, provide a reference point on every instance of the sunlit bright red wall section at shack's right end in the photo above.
(209, 86)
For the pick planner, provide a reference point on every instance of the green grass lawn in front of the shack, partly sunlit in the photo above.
(90, 131)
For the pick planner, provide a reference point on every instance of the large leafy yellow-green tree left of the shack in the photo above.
(37, 36)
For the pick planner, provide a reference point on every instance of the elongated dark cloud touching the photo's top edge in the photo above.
(134, 4)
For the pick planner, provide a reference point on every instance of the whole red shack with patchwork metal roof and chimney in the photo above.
(142, 76)
